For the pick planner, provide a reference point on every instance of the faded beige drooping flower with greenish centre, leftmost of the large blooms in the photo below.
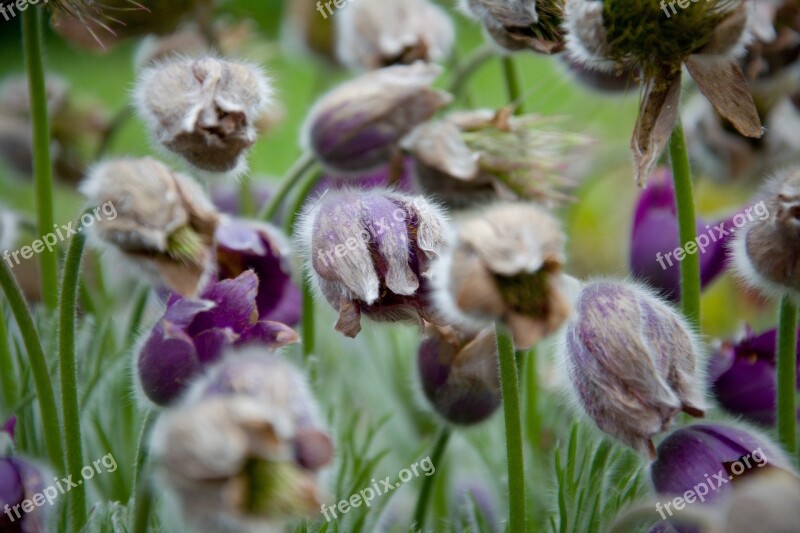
(163, 222)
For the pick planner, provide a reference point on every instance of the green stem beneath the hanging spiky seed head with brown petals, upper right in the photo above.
(684, 199)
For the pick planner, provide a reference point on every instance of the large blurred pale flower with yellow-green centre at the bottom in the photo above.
(243, 450)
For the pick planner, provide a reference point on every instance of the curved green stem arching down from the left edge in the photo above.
(38, 365)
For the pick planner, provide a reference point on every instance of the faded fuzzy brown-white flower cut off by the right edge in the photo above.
(766, 253)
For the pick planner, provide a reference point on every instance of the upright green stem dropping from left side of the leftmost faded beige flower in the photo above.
(73, 442)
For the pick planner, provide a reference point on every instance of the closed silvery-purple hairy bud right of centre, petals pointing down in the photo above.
(632, 362)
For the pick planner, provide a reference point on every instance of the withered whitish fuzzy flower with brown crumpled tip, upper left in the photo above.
(204, 109)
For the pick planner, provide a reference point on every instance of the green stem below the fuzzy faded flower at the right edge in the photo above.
(787, 375)
